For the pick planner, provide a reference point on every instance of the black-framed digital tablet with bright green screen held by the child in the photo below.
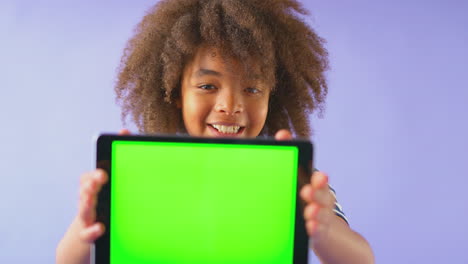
(201, 200)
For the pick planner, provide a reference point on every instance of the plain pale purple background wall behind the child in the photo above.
(394, 137)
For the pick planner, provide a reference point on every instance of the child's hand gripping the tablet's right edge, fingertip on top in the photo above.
(318, 211)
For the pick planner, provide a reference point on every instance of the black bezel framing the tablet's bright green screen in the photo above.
(103, 161)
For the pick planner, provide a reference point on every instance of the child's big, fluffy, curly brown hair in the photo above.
(291, 56)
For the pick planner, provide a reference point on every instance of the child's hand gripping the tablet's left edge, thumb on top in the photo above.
(90, 185)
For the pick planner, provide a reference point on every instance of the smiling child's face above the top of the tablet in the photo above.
(219, 100)
